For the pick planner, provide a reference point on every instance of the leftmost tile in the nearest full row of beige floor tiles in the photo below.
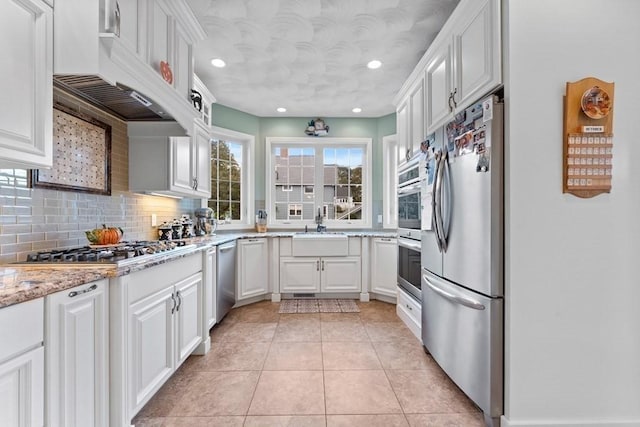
(217, 393)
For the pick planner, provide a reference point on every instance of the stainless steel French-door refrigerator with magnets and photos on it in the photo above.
(462, 255)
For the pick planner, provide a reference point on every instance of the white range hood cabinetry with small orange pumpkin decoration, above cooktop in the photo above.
(125, 42)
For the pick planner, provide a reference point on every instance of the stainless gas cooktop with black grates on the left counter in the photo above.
(118, 254)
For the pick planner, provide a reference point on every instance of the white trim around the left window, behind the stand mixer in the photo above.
(247, 183)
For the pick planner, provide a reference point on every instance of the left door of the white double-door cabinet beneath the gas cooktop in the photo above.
(151, 346)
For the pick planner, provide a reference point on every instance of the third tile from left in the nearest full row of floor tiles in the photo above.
(359, 392)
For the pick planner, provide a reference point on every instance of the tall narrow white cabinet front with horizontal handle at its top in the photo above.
(77, 333)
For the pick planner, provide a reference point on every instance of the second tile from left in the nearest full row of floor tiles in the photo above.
(289, 393)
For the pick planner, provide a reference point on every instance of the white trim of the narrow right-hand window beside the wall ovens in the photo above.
(389, 181)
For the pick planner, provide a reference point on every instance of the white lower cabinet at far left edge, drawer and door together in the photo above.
(22, 364)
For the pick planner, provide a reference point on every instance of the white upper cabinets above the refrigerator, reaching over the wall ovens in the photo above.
(462, 64)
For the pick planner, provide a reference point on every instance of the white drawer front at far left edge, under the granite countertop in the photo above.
(21, 327)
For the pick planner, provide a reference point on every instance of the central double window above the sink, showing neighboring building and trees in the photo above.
(328, 176)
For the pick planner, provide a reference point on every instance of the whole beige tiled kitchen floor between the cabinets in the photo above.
(307, 370)
